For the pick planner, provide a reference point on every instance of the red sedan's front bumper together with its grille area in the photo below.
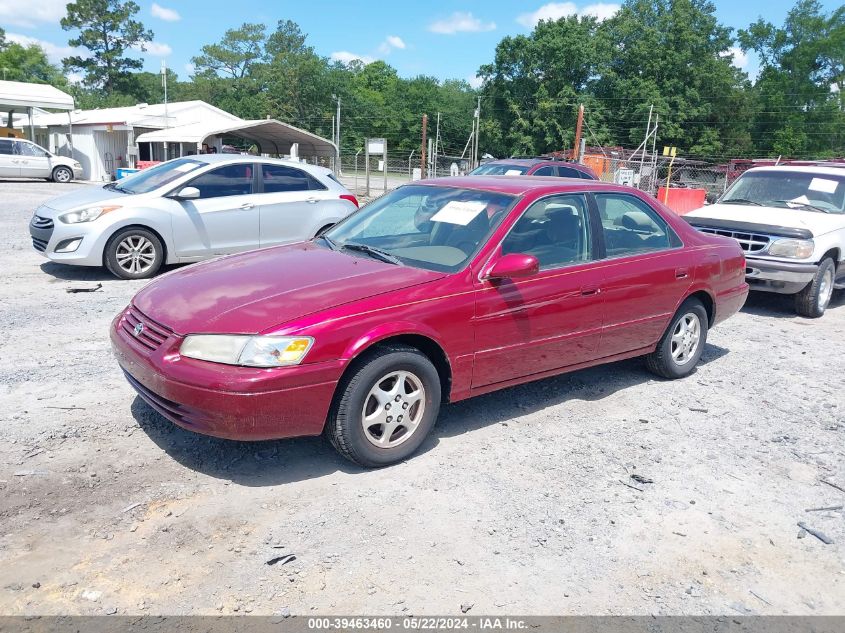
(239, 403)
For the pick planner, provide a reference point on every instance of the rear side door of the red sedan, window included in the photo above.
(645, 276)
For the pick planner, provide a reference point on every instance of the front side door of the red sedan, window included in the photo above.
(550, 320)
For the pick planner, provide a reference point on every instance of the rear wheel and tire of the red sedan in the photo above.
(682, 344)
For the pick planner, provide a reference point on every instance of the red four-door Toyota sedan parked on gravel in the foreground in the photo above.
(438, 291)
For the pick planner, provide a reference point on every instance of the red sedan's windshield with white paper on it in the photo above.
(436, 228)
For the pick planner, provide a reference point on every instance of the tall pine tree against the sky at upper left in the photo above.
(106, 29)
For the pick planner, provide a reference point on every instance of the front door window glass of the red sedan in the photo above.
(556, 230)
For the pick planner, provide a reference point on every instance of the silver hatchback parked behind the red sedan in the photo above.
(189, 209)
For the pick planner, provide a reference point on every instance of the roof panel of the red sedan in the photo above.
(518, 185)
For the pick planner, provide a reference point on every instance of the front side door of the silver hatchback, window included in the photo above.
(223, 219)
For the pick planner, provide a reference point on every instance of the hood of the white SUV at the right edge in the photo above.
(816, 222)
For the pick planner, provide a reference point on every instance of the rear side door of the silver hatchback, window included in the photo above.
(291, 204)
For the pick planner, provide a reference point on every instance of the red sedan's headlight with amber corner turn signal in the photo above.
(250, 351)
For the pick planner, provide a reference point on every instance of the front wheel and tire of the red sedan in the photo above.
(386, 407)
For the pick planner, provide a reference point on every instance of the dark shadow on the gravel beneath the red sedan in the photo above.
(277, 462)
